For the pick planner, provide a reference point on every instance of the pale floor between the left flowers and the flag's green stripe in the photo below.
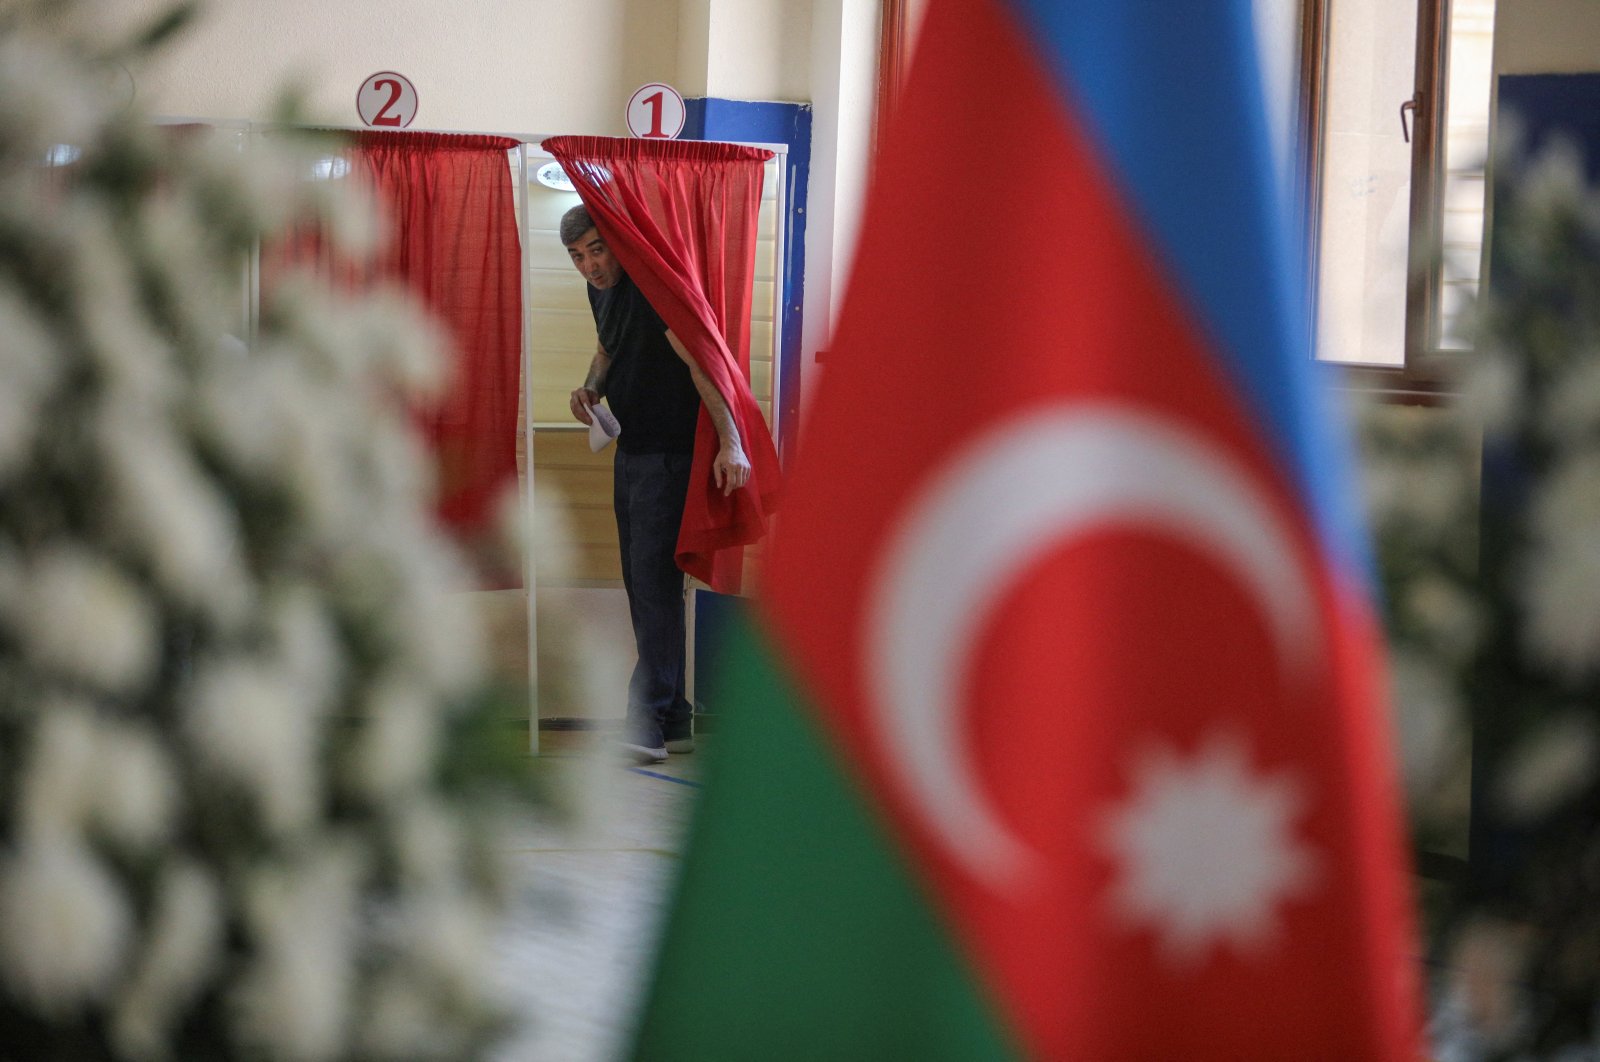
(591, 892)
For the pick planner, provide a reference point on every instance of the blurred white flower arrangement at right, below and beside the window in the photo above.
(1489, 525)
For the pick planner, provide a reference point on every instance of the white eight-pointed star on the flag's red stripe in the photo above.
(1206, 852)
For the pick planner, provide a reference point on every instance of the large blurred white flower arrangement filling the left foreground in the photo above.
(246, 756)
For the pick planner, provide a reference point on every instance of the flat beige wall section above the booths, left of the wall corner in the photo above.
(535, 66)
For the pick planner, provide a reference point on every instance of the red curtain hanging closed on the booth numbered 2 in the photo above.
(452, 239)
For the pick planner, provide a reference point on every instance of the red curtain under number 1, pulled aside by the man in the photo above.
(681, 218)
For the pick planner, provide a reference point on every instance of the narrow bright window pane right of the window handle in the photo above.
(1466, 145)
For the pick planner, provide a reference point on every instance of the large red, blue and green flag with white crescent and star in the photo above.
(1058, 732)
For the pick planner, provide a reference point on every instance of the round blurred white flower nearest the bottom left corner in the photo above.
(63, 927)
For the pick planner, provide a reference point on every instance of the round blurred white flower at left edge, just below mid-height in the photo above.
(81, 618)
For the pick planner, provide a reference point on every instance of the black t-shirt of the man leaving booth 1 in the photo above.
(649, 388)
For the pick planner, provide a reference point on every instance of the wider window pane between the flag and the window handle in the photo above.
(1364, 226)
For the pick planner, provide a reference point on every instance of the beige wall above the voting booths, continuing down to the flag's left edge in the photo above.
(550, 66)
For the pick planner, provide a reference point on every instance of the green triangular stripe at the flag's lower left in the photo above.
(798, 928)
